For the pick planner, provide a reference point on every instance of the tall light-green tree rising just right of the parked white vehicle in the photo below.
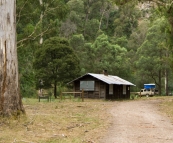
(154, 54)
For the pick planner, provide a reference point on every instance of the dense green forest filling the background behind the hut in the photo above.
(131, 39)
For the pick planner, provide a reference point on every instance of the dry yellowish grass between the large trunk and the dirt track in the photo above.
(57, 122)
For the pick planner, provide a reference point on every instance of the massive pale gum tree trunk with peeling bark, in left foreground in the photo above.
(10, 99)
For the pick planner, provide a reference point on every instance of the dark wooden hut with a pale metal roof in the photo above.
(102, 86)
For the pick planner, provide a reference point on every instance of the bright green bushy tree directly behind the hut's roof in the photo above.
(109, 56)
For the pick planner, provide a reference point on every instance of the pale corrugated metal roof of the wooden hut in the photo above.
(109, 79)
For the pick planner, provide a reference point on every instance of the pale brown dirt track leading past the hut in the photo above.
(139, 122)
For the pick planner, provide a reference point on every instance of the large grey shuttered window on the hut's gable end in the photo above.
(87, 85)
